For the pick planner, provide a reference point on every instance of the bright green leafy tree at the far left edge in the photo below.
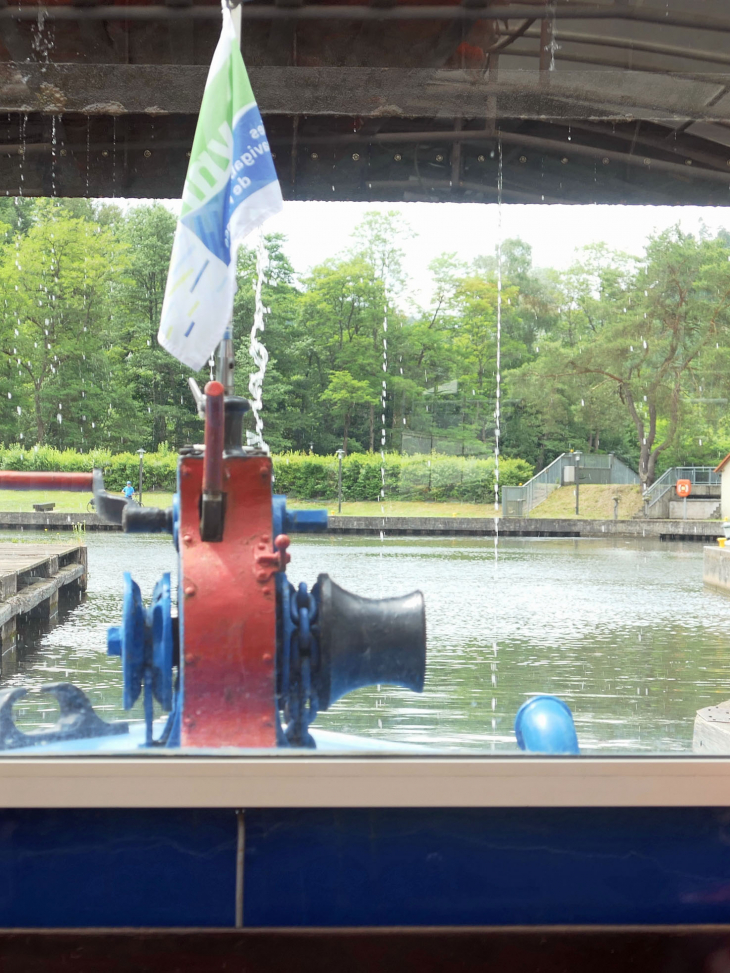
(57, 330)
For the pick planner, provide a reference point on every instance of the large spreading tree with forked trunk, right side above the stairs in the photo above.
(638, 344)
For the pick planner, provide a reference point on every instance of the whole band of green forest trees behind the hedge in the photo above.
(623, 353)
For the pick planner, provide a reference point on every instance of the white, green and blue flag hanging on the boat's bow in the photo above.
(230, 189)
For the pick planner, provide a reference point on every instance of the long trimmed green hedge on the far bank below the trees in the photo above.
(302, 476)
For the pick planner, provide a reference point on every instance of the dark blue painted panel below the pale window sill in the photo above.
(362, 868)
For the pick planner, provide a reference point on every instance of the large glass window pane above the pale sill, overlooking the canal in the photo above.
(487, 339)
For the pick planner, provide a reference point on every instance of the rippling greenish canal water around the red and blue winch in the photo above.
(624, 631)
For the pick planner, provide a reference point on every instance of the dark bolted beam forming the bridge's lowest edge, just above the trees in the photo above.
(157, 168)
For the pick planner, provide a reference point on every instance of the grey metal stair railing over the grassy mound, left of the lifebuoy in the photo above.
(594, 468)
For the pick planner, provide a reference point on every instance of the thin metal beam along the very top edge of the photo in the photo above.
(251, 11)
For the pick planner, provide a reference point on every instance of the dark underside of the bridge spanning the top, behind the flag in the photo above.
(604, 111)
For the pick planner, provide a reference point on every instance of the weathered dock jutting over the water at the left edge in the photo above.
(31, 577)
